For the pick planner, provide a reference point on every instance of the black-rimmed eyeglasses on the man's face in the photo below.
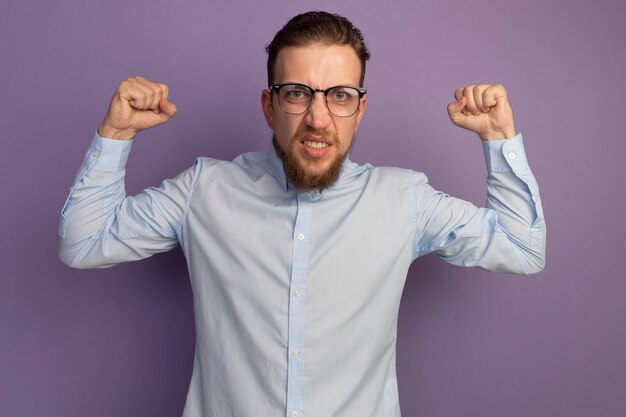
(342, 101)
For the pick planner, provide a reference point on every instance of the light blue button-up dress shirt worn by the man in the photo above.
(296, 294)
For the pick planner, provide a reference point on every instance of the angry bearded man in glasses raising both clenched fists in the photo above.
(297, 256)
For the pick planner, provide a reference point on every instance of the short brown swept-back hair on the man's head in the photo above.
(317, 26)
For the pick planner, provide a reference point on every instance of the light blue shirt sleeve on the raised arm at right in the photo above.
(508, 235)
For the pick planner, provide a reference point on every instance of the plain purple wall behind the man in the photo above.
(119, 342)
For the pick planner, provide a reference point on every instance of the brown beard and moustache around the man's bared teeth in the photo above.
(298, 176)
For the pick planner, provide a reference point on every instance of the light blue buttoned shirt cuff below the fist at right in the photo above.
(505, 154)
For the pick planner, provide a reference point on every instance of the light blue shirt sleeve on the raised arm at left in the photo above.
(101, 227)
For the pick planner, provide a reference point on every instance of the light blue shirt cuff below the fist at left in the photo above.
(108, 155)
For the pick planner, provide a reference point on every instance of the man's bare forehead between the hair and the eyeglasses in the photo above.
(318, 65)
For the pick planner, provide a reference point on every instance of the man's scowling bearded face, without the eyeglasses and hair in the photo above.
(313, 145)
